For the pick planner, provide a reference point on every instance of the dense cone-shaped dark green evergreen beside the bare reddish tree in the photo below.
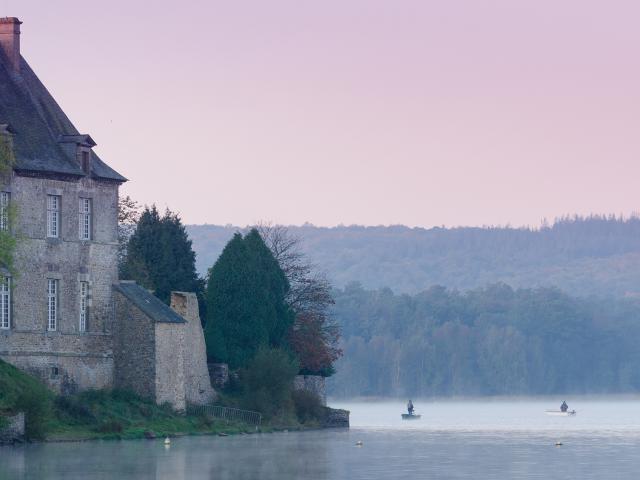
(245, 299)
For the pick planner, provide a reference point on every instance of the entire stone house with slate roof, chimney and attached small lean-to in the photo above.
(64, 315)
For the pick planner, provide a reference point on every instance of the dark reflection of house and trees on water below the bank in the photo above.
(294, 455)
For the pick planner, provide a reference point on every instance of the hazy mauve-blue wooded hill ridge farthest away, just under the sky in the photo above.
(581, 255)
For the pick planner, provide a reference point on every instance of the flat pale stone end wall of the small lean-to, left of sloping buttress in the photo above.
(169, 364)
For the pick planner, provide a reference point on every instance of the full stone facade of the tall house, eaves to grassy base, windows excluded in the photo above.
(82, 360)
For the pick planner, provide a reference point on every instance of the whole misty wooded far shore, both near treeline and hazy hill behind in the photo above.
(478, 311)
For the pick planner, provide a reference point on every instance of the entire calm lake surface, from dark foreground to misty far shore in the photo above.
(453, 440)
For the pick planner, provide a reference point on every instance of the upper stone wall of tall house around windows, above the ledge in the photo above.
(66, 258)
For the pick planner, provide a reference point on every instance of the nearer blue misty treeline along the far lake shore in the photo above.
(489, 341)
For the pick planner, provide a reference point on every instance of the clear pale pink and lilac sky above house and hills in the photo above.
(455, 112)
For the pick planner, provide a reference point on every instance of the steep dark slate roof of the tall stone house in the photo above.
(39, 124)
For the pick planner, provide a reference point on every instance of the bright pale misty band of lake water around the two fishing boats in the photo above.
(599, 415)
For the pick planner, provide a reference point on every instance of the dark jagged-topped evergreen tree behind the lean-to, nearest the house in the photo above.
(159, 255)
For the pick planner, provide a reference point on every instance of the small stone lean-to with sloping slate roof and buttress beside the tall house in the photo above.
(158, 353)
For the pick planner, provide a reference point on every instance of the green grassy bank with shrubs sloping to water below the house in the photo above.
(115, 414)
